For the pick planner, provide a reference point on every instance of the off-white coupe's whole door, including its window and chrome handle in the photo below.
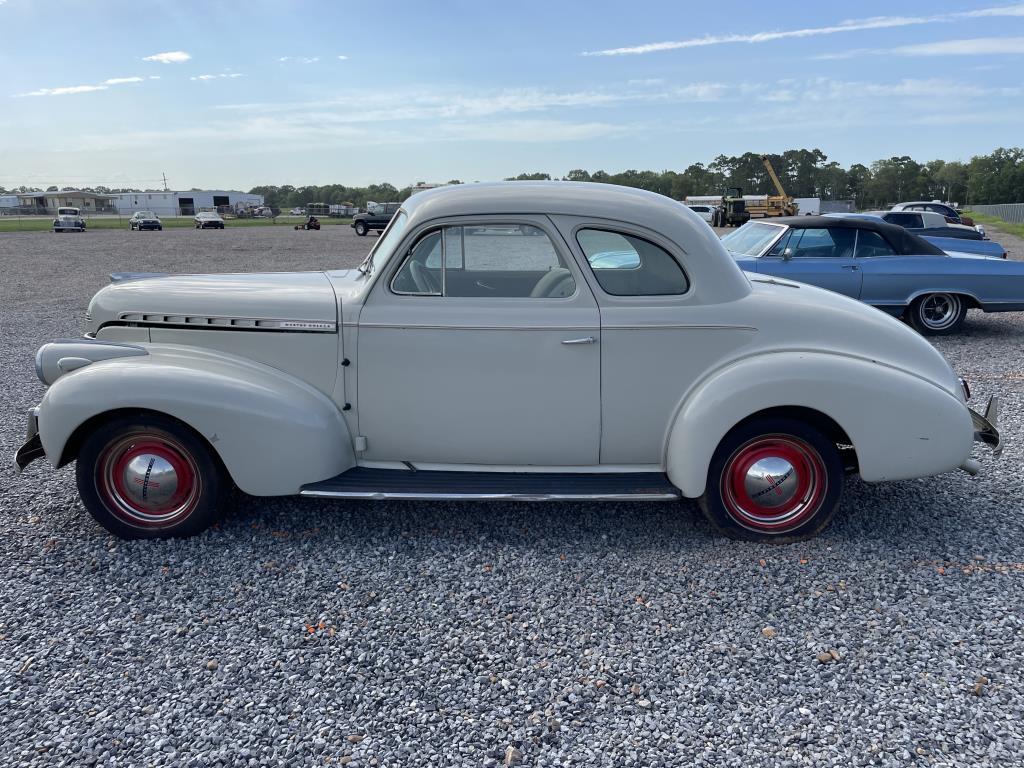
(481, 346)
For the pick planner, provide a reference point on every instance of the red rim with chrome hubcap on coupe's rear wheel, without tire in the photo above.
(774, 484)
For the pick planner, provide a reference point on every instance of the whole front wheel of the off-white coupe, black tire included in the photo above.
(115, 472)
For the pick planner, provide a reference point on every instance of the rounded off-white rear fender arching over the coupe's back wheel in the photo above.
(902, 425)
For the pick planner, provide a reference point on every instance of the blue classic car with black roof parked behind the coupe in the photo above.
(883, 266)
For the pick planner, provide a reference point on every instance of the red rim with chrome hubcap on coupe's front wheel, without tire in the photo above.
(148, 481)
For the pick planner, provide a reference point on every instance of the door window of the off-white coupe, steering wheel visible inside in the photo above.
(495, 261)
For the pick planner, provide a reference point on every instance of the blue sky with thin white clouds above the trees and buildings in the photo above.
(231, 96)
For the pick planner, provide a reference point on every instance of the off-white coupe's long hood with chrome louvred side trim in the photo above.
(284, 302)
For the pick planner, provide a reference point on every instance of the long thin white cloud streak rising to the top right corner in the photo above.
(858, 25)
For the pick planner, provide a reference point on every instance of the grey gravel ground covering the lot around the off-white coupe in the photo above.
(390, 634)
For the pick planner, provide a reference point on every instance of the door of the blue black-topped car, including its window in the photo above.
(821, 257)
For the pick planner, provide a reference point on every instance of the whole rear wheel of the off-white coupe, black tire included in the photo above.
(806, 486)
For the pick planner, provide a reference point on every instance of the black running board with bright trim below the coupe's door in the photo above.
(362, 483)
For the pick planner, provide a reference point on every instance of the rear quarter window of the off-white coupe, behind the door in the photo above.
(626, 266)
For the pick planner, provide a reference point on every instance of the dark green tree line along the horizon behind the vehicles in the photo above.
(997, 178)
